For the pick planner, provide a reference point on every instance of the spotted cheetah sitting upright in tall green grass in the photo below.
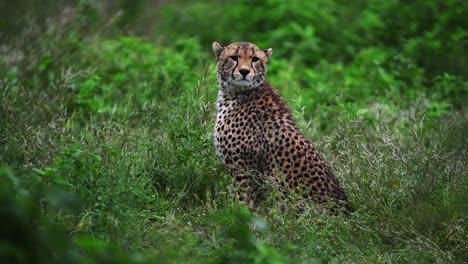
(258, 139)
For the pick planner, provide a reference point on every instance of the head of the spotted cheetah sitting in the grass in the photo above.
(241, 65)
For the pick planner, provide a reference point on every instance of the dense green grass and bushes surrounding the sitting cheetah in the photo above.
(107, 109)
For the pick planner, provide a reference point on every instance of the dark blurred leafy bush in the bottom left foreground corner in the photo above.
(29, 236)
